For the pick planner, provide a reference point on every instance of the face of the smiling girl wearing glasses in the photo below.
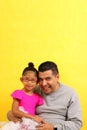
(29, 81)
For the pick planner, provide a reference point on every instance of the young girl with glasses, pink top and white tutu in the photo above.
(25, 101)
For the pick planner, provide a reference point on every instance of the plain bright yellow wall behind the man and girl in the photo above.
(40, 30)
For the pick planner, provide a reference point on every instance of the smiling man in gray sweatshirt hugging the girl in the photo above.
(61, 108)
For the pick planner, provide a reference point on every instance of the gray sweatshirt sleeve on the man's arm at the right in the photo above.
(74, 116)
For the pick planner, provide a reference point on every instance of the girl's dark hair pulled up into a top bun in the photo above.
(30, 68)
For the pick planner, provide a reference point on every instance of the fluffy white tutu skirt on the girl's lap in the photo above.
(26, 124)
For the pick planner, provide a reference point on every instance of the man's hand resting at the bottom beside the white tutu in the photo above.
(45, 126)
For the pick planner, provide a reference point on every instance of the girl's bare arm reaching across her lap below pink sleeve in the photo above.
(18, 113)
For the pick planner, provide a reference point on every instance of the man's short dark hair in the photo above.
(48, 65)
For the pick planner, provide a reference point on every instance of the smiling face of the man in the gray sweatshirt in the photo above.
(48, 81)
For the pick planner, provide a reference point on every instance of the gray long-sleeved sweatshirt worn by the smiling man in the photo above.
(62, 109)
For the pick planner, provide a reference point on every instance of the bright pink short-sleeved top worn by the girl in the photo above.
(27, 102)
